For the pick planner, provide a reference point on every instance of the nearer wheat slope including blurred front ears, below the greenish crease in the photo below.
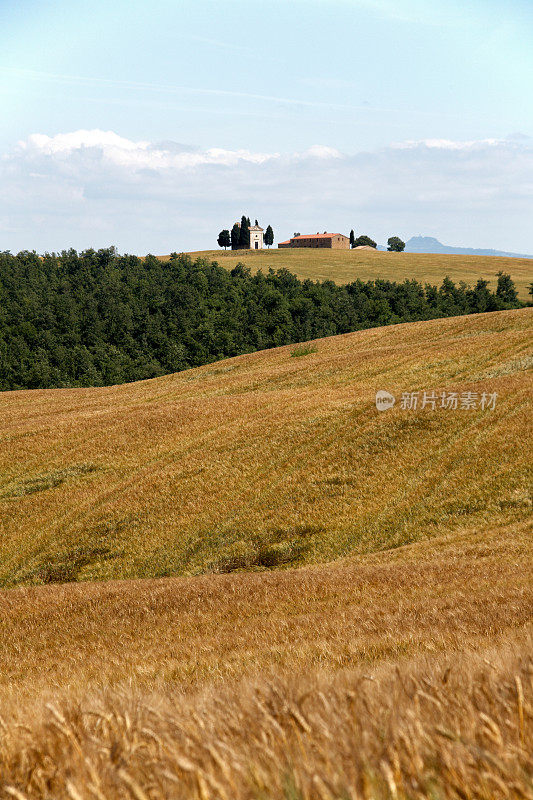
(293, 685)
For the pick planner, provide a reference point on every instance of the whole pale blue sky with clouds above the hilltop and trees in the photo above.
(152, 126)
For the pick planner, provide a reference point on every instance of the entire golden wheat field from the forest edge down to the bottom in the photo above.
(323, 601)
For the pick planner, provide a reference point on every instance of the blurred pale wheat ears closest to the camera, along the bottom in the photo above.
(456, 728)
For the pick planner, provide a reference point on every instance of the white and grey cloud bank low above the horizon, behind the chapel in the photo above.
(96, 188)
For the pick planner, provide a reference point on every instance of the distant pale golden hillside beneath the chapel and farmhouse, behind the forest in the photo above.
(344, 266)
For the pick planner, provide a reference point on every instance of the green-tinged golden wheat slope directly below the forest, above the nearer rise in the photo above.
(266, 460)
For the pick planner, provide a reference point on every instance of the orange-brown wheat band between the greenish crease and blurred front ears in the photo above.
(465, 590)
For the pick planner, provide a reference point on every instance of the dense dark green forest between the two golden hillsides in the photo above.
(98, 318)
